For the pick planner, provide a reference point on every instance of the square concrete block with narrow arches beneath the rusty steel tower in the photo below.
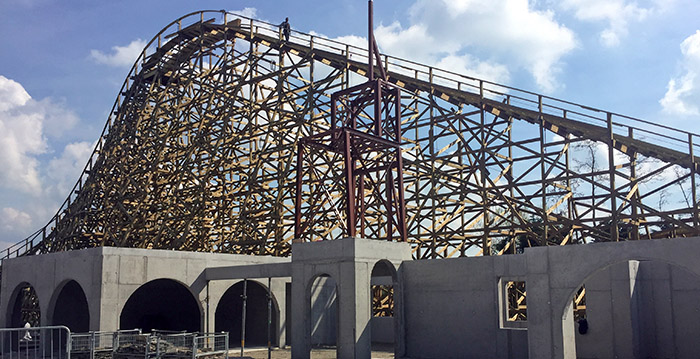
(349, 261)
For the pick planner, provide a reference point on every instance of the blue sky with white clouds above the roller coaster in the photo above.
(62, 63)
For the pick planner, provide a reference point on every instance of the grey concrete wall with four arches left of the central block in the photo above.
(109, 276)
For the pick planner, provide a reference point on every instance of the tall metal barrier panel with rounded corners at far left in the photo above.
(40, 342)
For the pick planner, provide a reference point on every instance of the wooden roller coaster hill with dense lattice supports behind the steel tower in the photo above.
(198, 154)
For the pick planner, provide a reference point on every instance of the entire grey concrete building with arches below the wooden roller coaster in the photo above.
(642, 297)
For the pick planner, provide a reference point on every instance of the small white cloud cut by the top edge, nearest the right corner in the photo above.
(617, 14)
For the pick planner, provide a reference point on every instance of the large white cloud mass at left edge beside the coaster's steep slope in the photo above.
(34, 181)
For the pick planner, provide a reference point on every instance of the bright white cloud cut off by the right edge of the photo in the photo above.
(683, 92)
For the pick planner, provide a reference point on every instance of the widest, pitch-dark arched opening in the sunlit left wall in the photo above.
(162, 304)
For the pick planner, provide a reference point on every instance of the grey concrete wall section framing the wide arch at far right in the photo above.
(555, 273)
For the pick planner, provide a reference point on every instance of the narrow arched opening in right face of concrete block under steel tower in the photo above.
(383, 326)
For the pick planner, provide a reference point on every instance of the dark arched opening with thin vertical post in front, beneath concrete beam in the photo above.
(228, 316)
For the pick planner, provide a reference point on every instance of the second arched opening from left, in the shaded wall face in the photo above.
(70, 308)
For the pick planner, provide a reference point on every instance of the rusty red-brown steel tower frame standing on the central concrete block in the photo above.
(364, 137)
